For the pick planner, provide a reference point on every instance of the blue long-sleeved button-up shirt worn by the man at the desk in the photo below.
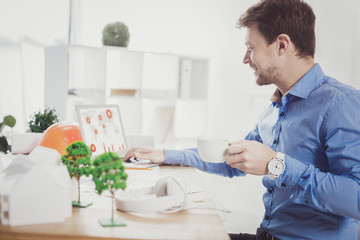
(317, 126)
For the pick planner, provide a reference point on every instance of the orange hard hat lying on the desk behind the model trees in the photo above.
(59, 135)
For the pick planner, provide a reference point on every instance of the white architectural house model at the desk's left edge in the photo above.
(34, 189)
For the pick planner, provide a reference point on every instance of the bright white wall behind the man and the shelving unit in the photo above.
(202, 27)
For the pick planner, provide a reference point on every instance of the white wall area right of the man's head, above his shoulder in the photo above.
(338, 32)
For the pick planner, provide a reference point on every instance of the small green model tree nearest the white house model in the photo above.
(78, 162)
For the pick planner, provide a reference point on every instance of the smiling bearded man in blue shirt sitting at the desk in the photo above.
(306, 143)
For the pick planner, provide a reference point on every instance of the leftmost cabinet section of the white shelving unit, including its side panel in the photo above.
(74, 75)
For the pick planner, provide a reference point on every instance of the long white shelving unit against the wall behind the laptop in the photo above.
(146, 86)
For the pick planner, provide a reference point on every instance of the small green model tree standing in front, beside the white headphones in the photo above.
(108, 174)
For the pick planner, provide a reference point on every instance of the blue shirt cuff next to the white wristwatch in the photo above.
(294, 169)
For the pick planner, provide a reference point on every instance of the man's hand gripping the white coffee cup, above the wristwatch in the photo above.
(250, 156)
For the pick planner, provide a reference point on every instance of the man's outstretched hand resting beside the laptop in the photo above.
(142, 153)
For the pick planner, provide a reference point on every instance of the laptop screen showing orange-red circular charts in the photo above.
(102, 129)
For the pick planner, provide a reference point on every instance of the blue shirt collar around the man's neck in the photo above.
(309, 82)
